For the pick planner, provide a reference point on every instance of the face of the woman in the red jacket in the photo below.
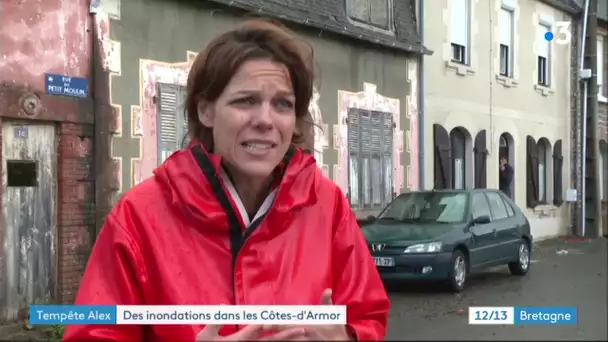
(254, 118)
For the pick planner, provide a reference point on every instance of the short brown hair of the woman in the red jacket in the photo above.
(255, 39)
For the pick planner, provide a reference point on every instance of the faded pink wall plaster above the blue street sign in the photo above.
(43, 36)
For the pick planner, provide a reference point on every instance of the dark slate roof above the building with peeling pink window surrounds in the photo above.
(330, 15)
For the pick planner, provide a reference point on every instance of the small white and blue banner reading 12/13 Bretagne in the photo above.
(520, 315)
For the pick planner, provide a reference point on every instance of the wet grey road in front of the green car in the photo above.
(578, 279)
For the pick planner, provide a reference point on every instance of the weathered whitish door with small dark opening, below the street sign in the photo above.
(29, 217)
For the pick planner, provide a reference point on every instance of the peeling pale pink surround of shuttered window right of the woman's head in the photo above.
(368, 99)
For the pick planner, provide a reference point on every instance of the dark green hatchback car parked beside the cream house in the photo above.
(443, 235)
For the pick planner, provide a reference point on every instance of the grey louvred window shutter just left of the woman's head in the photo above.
(171, 123)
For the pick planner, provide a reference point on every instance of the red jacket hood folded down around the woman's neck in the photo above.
(185, 177)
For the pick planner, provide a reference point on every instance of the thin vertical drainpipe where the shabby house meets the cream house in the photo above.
(421, 101)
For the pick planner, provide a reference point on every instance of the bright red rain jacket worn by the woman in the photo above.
(169, 241)
